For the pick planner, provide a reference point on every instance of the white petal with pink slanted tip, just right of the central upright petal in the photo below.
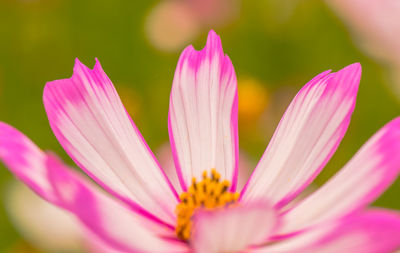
(306, 138)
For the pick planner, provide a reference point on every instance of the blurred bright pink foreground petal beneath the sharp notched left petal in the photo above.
(112, 222)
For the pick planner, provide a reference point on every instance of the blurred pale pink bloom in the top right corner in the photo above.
(376, 26)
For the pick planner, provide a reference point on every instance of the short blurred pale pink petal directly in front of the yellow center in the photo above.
(233, 229)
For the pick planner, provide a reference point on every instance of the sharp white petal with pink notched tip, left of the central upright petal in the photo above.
(89, 120)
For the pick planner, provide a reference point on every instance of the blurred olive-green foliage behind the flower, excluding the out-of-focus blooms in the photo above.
(279, 44)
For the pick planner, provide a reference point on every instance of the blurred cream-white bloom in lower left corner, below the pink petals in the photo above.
(44, 225)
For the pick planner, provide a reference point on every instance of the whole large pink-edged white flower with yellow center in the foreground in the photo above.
(140, 211)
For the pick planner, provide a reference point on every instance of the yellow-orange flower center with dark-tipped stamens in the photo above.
(208, 194)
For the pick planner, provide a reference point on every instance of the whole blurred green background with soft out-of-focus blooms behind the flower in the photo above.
(276, 46)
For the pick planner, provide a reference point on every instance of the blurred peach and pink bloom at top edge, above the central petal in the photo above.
(172, 24)
